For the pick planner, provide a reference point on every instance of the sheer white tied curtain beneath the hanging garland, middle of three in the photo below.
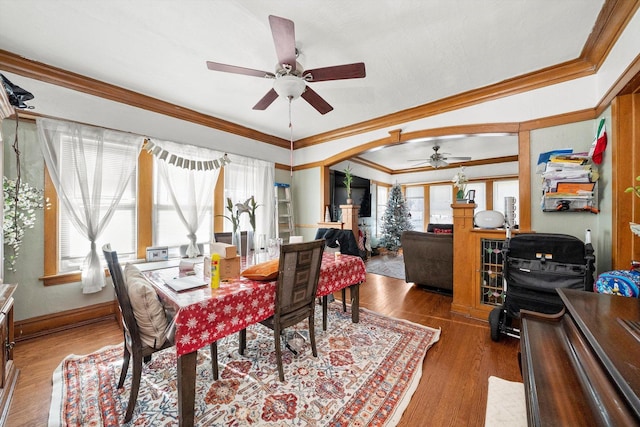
(190, 190)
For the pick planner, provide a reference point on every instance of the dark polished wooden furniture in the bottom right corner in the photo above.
(582, 366)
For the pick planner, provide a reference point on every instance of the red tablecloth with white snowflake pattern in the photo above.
(205, 315)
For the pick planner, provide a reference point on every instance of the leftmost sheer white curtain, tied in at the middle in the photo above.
(74, 155)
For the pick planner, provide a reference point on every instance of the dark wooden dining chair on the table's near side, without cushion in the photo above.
(298, 274)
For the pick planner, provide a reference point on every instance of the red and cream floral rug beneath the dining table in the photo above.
(364, 374)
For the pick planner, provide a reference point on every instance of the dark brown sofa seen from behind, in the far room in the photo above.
(428, 257)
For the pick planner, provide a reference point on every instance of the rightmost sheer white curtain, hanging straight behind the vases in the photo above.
(246, 177)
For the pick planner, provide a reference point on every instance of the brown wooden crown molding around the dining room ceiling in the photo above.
(611, 21)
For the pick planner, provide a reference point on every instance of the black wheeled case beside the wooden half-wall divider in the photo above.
(535, 265)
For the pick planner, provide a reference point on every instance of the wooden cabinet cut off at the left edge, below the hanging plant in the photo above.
(8, 371)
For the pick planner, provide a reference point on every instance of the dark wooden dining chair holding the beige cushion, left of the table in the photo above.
(133, 342)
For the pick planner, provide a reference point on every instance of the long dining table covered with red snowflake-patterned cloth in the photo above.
(204, 315)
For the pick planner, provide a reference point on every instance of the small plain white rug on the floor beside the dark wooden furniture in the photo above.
(505, 404)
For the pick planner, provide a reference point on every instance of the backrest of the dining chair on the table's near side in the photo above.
(299, 271)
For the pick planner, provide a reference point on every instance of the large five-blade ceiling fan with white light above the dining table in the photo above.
(290, 79)
